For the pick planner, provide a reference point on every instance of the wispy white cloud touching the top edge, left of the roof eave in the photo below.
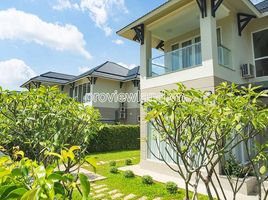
(101, 10)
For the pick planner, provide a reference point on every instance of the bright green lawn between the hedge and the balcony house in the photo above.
(133, 185)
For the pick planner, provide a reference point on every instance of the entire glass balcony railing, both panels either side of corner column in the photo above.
(183, 58)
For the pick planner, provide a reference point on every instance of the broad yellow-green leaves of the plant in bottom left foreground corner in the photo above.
(27, 179)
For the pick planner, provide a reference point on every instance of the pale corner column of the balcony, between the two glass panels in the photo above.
(209, 42)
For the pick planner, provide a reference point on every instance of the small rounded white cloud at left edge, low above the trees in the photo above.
(14, 72)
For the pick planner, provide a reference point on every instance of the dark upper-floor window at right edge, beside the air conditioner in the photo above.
(260, 41)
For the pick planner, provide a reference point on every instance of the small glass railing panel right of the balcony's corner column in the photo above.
(225, 57)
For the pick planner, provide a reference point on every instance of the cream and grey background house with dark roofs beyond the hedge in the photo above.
(100, 88)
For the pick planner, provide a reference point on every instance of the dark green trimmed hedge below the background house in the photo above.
(115, 138)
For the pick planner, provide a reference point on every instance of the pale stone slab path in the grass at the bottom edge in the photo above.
(102, 192)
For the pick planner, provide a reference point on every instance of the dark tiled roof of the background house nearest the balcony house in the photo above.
(111, 70)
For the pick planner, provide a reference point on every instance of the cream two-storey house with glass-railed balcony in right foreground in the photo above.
(201, 44)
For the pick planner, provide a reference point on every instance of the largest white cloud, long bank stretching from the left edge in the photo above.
(18, 25)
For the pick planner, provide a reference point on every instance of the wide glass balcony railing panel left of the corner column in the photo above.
(177, 60)
